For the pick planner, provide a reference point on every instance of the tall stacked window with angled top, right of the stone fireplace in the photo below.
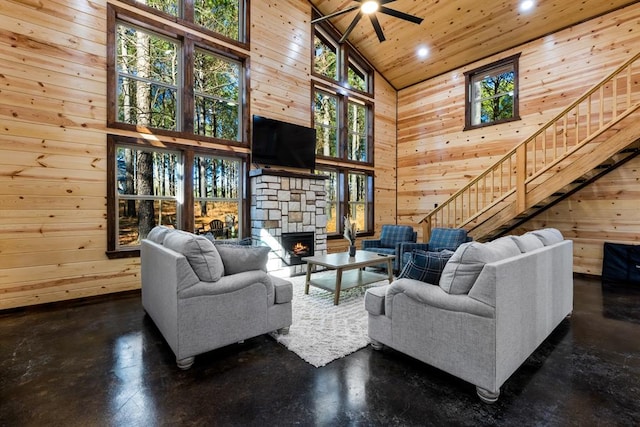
(343, 119)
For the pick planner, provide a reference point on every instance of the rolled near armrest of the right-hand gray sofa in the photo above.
(433, 295)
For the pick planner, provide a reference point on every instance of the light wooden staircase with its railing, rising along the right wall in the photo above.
(594, 135)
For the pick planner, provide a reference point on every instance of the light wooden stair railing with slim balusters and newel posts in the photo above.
(614, 98)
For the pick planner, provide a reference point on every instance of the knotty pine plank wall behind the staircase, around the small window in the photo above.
(436, 157)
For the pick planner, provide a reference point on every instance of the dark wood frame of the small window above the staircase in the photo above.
(513, 62)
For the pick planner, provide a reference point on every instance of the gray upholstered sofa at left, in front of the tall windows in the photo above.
(203, 296)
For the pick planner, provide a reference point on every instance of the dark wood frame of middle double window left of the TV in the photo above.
(186, 102)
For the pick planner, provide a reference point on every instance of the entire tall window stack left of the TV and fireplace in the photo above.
(175, 83)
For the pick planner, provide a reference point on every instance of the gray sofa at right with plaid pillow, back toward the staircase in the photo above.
(493, 306)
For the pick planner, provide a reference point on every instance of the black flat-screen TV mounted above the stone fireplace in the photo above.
(277, 143)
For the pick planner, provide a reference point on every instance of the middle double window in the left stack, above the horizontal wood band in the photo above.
(173, 84)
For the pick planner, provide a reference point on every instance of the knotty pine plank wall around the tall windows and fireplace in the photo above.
(53, 138)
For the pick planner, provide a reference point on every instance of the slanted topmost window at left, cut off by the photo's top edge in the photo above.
(223, 17)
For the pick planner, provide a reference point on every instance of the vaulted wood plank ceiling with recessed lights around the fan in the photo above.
(456, 32)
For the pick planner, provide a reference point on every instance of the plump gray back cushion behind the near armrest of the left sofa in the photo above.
(199, 251)
